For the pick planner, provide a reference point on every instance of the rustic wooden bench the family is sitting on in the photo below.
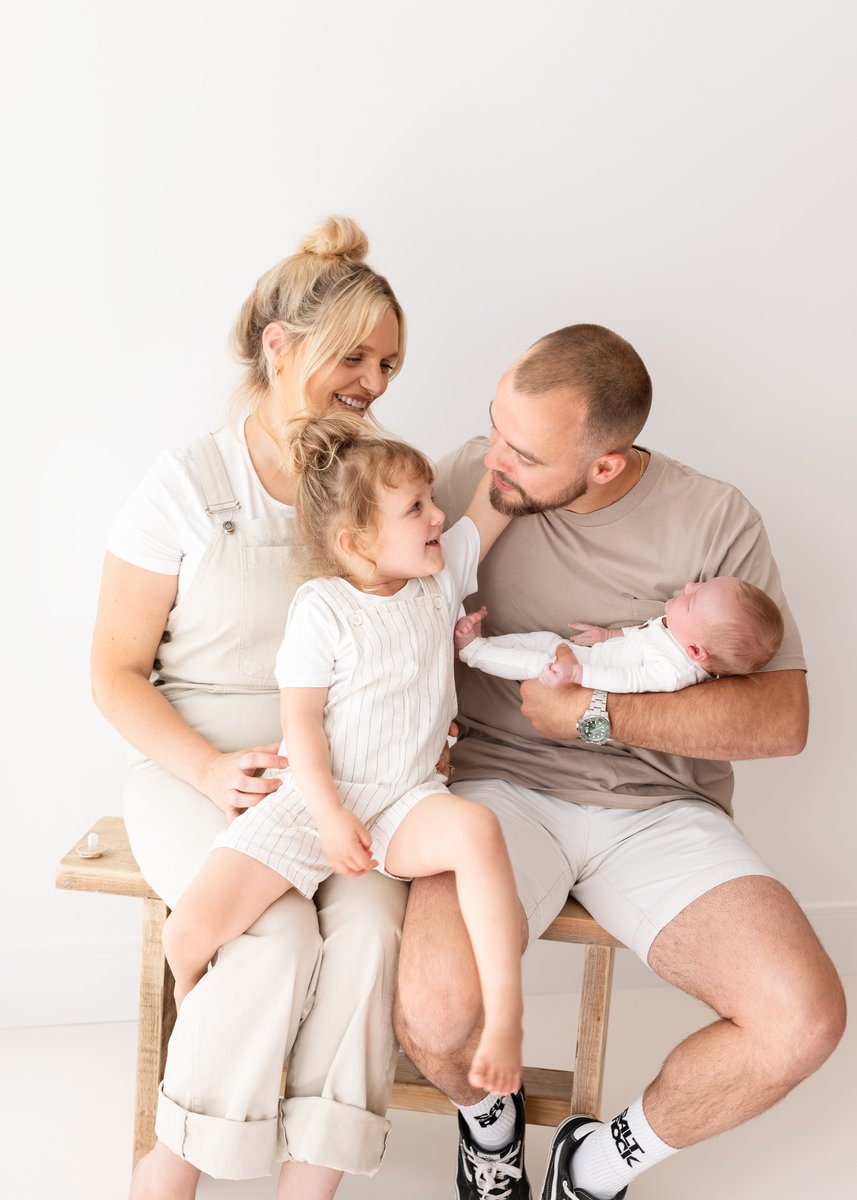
(552, 1095)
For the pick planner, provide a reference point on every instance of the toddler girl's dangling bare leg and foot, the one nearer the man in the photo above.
(442, 833)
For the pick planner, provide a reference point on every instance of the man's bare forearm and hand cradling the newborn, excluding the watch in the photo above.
(748, 717)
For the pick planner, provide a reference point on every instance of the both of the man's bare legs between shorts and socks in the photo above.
(745, 949)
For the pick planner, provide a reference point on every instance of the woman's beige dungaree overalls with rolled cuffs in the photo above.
(320, 971)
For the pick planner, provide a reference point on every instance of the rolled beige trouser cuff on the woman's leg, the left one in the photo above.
(224, 1149)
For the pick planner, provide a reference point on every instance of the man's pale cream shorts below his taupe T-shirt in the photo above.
(633, 869)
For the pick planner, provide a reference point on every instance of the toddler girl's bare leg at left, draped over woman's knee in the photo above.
(230, 892)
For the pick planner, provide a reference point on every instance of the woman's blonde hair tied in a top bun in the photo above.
(326, 298)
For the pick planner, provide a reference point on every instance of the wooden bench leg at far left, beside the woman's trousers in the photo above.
(155, 1025)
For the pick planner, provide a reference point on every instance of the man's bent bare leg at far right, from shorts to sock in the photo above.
(747, 950)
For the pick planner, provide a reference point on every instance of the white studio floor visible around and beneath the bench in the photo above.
(67, 1112)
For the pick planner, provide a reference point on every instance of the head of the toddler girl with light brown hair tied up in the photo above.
(349, 475)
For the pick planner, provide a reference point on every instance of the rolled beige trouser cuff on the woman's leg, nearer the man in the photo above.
(323, 1132)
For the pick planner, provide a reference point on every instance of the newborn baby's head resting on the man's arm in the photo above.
(727, 626)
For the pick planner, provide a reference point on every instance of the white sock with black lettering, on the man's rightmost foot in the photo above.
(618, 1153)
